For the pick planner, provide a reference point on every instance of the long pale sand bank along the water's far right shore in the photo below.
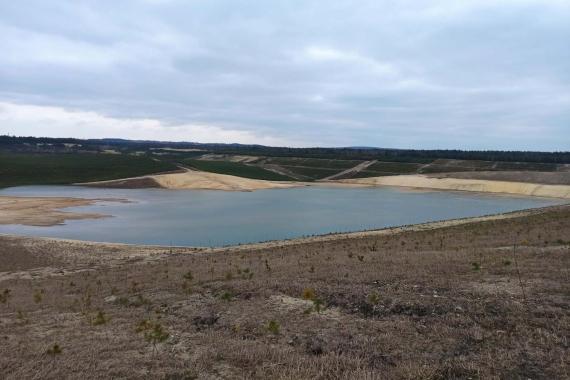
(485, 186)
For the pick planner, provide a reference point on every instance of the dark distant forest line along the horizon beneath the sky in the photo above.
(45, 144)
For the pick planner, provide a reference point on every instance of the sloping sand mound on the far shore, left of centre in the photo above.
(196, 180)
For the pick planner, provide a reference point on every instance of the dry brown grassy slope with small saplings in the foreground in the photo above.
(454, 302)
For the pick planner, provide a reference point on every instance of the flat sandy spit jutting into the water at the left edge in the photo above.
(38, 211)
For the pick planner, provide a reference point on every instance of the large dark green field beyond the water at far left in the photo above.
(18, 169)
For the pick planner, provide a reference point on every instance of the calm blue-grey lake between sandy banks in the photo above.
(218, 218)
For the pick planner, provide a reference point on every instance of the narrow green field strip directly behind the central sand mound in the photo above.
(235, 168)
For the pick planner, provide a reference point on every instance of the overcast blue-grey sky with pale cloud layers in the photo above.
(481, 74)
